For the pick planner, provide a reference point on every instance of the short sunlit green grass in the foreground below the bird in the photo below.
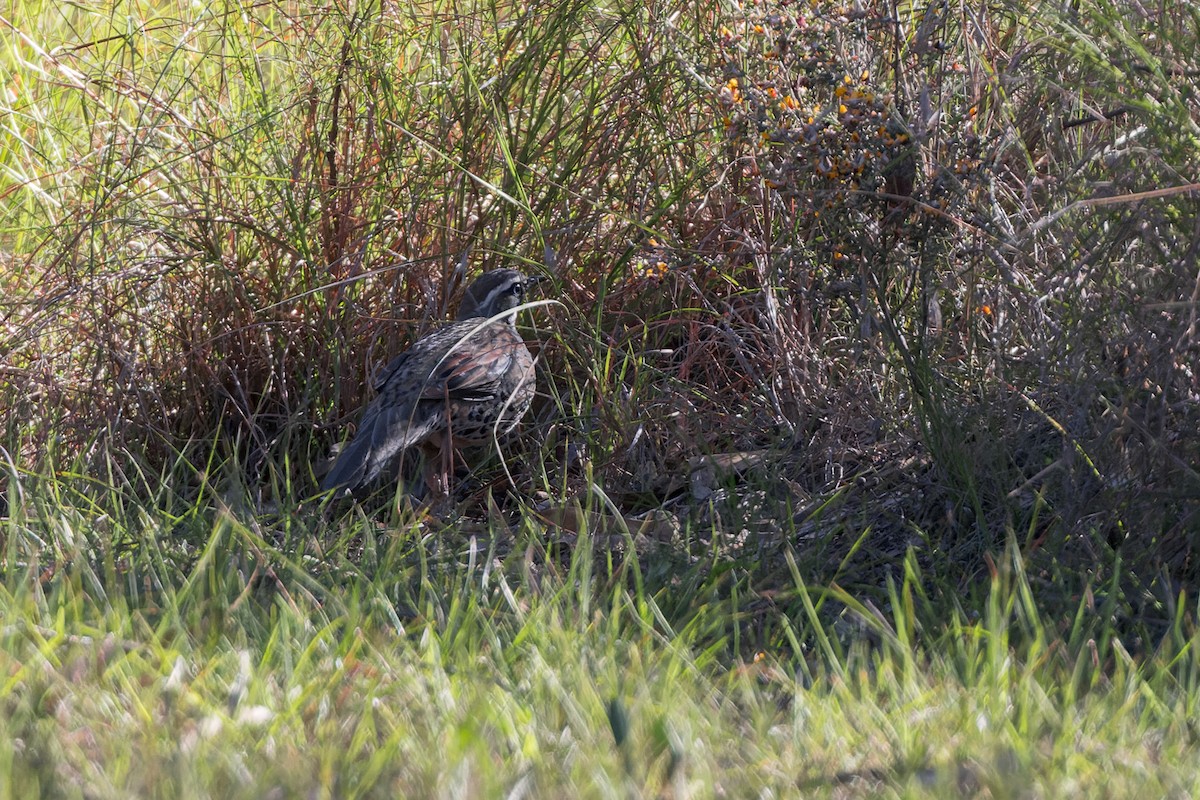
(418, 665)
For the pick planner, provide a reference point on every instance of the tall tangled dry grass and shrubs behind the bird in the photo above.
(935, 264)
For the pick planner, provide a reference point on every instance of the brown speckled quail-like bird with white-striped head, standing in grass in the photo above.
(463, 386)
